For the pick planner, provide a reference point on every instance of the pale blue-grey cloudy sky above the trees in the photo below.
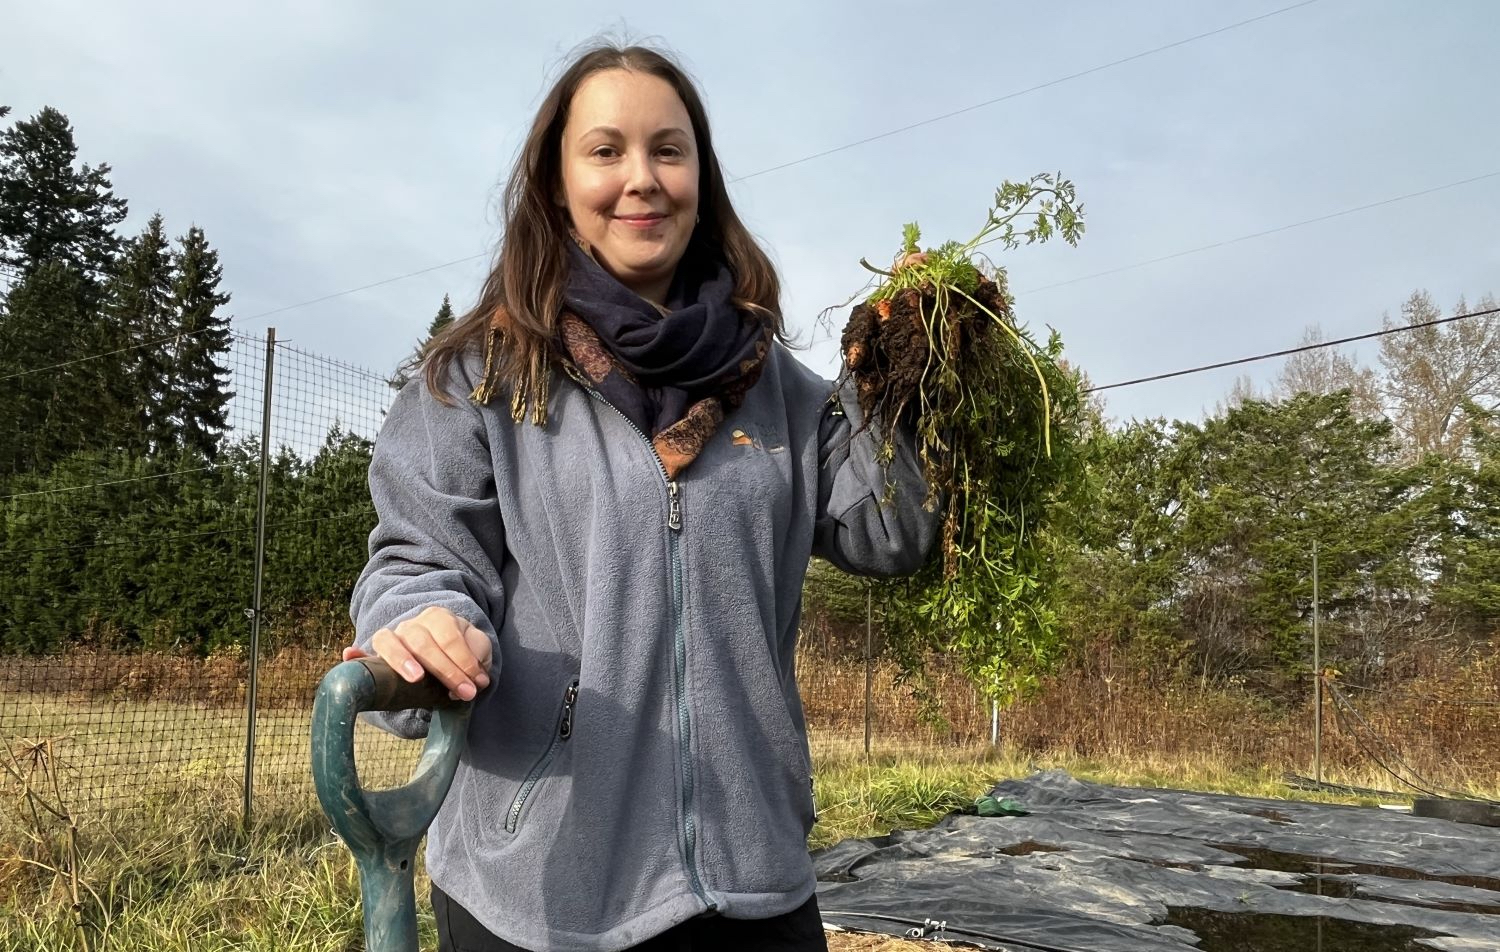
(329, 146)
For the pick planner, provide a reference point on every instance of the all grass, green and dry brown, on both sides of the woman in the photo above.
(163, 864)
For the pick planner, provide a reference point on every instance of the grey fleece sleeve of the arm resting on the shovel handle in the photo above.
(439, 539)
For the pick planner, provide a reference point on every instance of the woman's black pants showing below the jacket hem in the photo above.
(800, 930)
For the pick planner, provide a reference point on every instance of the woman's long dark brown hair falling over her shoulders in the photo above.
(517, 319)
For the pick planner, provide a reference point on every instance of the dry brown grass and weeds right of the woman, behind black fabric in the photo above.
(1441, 725)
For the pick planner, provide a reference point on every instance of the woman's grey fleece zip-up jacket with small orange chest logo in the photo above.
(641, 755)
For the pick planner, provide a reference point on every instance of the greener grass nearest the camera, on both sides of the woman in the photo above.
(176, 873)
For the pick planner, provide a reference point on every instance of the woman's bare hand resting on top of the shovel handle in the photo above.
(436, 642)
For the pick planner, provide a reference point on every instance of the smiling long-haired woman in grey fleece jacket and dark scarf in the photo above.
(596, 512)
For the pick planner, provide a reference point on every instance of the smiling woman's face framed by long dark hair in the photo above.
(631, 178)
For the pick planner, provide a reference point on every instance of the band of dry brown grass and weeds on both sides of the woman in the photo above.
(1441, 723)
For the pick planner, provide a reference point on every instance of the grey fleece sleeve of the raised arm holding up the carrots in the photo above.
(860, 525)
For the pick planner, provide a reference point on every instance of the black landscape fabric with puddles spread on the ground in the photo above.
(1094, 869)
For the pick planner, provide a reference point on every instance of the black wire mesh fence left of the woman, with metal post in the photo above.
(133, 633)
